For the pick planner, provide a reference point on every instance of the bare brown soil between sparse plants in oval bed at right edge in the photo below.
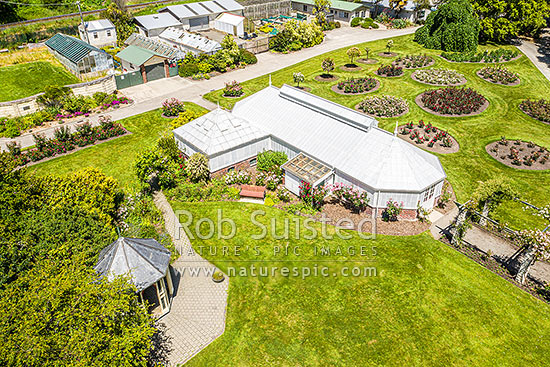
(524, 151)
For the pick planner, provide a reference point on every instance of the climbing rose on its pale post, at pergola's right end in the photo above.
(536, 246)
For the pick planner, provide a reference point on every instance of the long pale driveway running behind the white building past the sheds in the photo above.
(150, 96)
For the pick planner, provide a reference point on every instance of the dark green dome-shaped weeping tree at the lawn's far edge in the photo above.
(453, 27)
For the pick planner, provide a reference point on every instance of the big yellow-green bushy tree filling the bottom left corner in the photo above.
(61, 313)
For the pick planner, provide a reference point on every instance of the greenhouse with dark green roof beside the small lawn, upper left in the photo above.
(78, 57)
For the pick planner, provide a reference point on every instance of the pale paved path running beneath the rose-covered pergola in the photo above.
(502, 250)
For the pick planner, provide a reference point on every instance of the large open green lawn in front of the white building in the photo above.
(429, 305)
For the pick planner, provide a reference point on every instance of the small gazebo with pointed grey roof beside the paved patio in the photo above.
(147, 263)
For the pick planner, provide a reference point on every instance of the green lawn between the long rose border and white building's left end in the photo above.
(115, 157)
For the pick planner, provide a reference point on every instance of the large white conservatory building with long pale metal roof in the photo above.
(326, 143)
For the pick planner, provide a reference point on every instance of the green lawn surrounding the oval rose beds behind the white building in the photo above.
(471, 164)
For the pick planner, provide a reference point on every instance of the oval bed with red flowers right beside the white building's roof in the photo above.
(428, 137)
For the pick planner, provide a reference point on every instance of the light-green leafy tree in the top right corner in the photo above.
(504, 19)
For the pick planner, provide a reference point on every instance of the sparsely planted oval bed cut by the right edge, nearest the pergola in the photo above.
(519, 154)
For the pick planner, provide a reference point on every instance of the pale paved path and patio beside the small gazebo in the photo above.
(197, 313)
